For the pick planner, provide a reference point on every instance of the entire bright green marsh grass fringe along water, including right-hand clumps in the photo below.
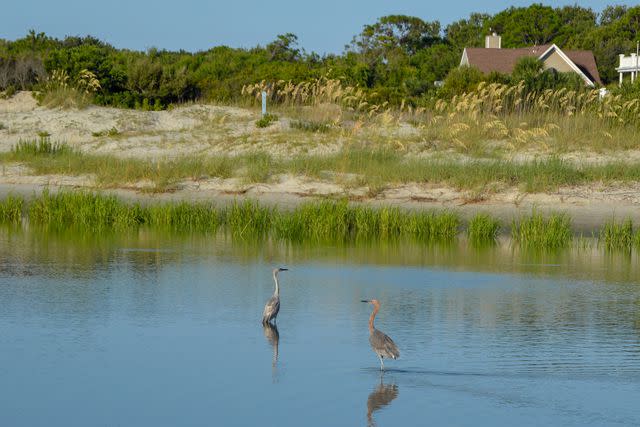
(324, 221)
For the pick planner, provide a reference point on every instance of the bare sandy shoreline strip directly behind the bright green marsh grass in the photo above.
(587, 215)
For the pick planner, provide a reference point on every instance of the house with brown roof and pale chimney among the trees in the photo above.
(493, 58)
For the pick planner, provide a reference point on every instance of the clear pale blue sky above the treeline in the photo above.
(322, 25)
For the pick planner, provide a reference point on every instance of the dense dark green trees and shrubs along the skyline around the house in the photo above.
(398, 57)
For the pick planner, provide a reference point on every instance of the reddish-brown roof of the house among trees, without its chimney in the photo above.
(504, 60)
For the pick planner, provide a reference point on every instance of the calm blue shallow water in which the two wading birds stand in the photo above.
(157, 329)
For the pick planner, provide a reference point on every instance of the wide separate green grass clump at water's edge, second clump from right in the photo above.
(544, 233)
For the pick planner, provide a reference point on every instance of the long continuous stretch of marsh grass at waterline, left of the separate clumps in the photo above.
(325, 221)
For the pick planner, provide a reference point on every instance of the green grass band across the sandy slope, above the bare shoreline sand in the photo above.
(374, 168)
